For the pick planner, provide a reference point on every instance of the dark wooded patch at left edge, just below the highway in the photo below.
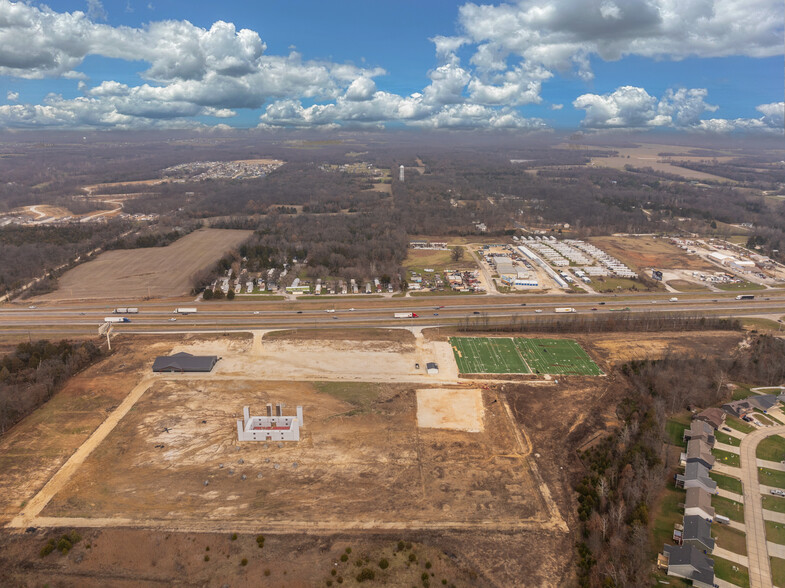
(34, 371)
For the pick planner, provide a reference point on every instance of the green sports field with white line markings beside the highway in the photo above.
(506, 355)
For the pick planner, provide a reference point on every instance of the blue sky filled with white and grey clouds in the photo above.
(711, 66)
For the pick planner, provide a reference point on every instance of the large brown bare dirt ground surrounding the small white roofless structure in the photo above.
(366, 476)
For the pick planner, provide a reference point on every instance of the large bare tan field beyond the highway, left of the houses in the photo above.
(154, 271)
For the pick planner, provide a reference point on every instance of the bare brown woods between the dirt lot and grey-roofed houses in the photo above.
(627, 471)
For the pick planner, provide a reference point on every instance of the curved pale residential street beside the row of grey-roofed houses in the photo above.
(757, 551)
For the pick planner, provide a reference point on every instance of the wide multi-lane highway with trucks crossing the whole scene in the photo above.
(358, 311)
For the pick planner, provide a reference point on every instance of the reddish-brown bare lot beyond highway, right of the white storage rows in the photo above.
(645, 252)
